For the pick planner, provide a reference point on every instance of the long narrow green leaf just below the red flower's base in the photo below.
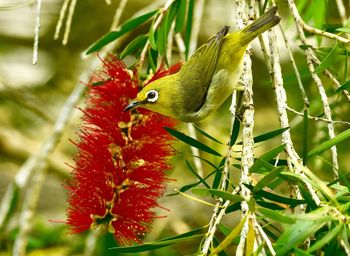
(161, 243)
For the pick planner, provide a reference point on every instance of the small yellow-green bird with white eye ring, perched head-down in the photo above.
(207, 79)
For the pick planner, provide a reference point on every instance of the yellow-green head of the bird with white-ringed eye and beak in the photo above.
(158, 96)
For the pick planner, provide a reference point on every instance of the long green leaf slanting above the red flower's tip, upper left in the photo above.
(126, 27)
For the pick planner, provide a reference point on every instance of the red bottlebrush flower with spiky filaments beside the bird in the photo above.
(119, 168)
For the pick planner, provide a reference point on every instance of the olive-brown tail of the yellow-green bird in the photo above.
(266, 21)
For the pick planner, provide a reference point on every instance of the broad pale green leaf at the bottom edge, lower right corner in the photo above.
(296, 234)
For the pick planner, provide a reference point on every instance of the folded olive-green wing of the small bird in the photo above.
(198, 71)
